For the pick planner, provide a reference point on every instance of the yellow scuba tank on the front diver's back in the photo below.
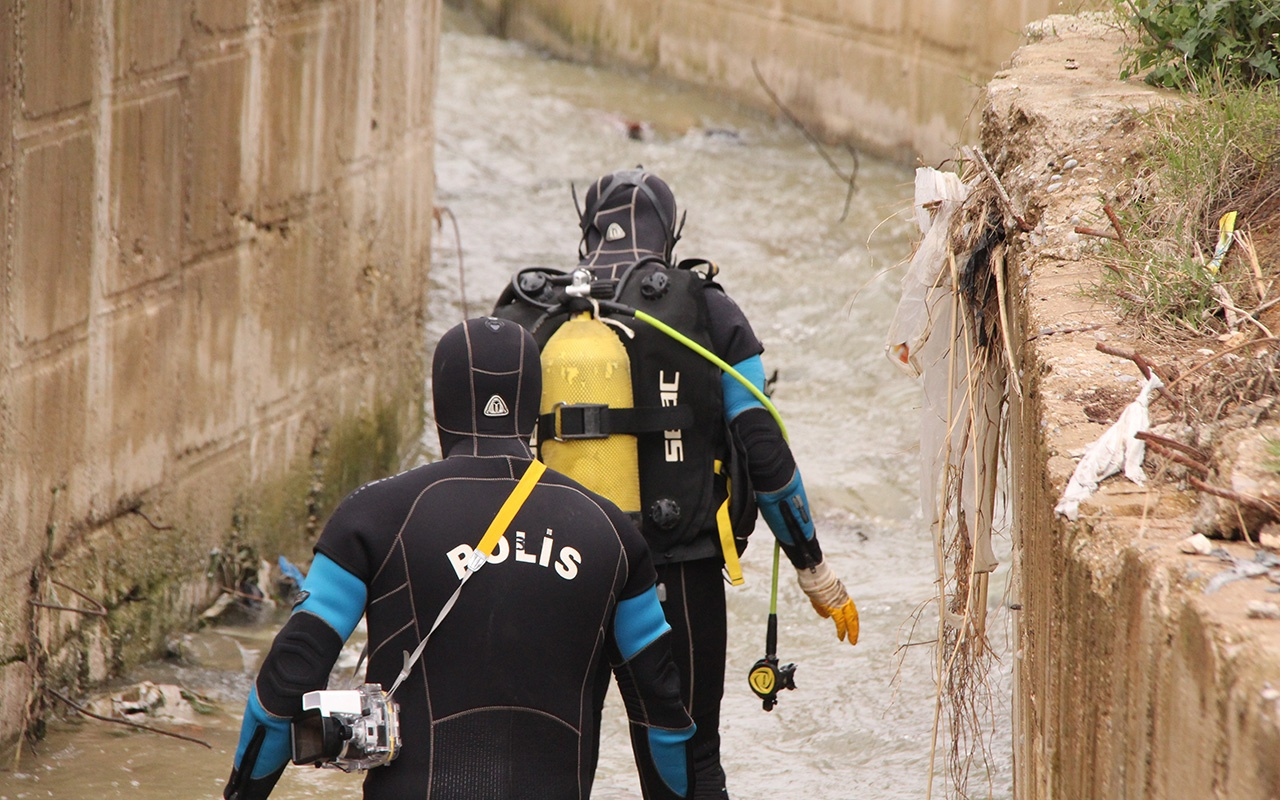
(586, 363)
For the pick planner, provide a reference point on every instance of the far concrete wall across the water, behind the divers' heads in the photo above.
(900, 79)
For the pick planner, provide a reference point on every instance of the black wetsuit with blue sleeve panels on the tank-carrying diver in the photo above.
(632, 223)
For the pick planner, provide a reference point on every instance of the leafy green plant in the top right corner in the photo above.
(1190, 44)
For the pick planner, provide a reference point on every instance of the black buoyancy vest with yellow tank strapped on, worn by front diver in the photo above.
(668, 419)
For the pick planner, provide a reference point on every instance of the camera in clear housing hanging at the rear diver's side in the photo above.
(350, 730)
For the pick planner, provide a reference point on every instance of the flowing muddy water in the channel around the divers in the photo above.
(515, 131)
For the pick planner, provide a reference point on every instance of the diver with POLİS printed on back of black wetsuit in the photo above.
(505, 701)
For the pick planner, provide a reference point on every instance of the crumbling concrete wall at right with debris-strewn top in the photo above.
(1132, 682)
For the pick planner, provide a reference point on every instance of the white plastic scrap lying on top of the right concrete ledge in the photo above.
(1118, 450)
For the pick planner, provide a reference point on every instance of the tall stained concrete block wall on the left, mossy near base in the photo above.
(216, 225)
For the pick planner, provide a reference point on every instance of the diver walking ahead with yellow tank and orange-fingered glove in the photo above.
(630, 227)
